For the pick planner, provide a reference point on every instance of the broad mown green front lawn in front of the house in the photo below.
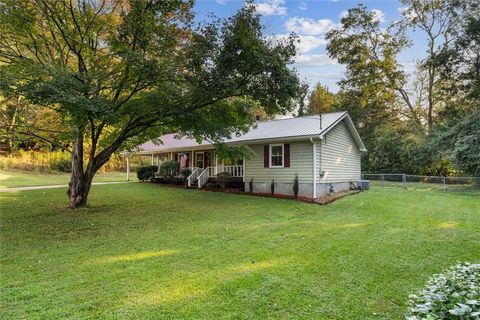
(142, 251)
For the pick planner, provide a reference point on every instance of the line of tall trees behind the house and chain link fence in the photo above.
(427, 122)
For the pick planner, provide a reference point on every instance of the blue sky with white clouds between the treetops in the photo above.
(310, 20)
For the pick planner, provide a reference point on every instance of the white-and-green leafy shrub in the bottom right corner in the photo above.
(452, 295)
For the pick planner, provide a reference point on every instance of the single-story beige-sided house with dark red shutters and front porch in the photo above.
(323, 150)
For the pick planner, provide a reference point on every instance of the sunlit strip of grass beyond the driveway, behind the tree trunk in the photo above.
(10, 179)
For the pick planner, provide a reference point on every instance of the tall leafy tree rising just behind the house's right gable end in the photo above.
(373, 81)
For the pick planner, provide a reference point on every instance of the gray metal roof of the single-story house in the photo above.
(300, 127)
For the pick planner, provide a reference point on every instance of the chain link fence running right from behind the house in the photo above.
(433, 183)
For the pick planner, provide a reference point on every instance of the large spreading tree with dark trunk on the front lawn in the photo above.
(120, 72)
